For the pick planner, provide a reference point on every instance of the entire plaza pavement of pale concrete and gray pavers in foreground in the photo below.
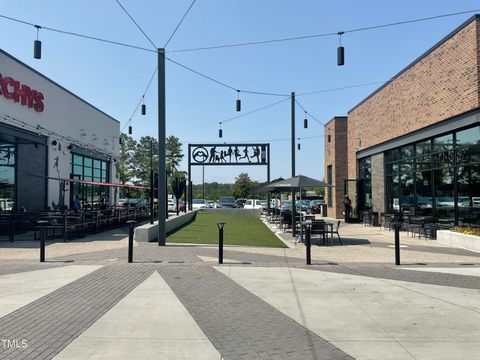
(176, 302)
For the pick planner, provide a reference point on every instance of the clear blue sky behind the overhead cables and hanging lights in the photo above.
(113, 78)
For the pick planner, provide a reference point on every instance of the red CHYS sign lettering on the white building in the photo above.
(11, 89)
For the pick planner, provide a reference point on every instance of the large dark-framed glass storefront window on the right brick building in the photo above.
(443, 183)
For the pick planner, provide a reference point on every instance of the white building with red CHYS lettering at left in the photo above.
(48, 133)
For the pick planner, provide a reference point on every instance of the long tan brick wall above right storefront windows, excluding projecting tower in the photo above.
(441, 84)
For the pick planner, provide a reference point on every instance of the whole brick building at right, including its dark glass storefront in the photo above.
(414, 144)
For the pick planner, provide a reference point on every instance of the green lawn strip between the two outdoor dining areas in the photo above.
(238, 230)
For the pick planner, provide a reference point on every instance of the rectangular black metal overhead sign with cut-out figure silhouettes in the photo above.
(228, 154)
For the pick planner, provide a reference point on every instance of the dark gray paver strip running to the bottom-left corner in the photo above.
(50, 323)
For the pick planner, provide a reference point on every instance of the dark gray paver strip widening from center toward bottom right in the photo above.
(239, 324)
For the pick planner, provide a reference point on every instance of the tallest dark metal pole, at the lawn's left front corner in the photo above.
(162, 179)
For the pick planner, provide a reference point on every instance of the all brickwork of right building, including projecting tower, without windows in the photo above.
(441, 84)
